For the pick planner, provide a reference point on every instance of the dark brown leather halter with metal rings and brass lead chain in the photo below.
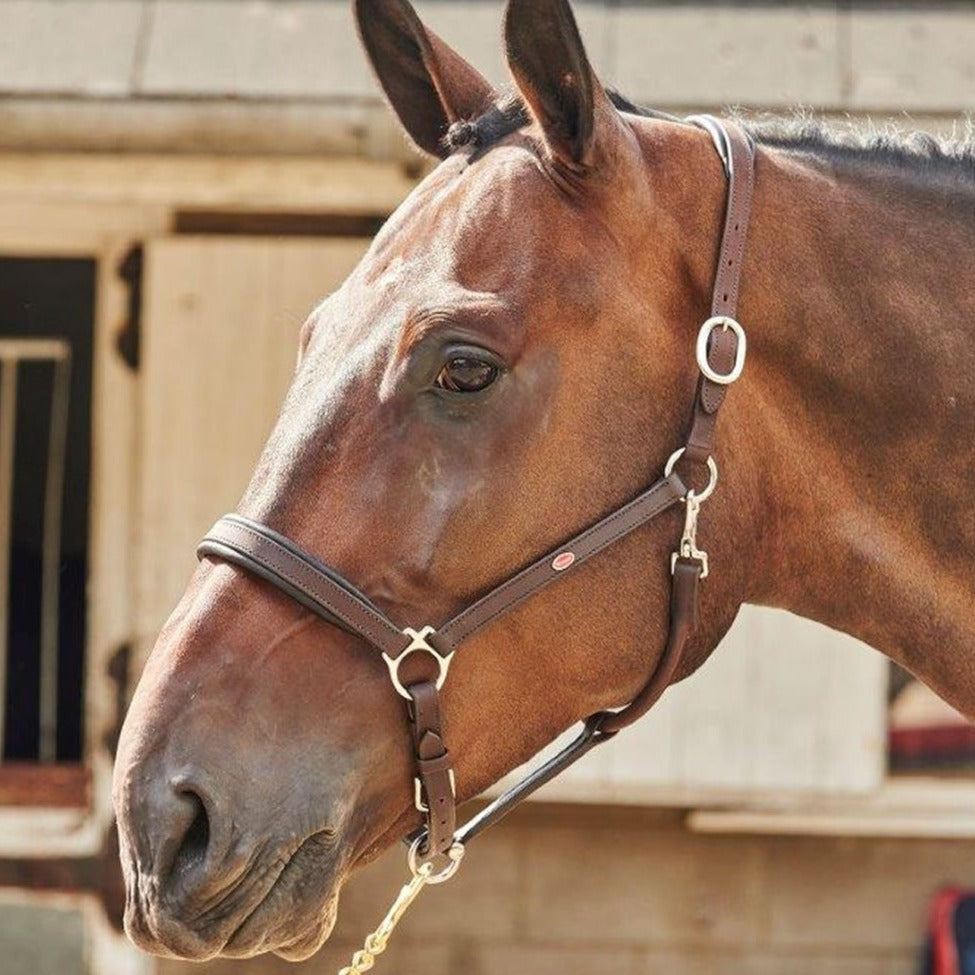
(419, 659)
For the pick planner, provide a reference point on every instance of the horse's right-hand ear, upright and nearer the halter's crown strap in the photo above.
(549, 64)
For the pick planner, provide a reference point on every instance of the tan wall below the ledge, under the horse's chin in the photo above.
(560, 891)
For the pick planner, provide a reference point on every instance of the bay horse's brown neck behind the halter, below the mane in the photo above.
(857, 407)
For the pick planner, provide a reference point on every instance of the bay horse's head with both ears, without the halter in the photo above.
(511, 360)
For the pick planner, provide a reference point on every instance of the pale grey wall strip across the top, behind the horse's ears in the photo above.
(288, 75)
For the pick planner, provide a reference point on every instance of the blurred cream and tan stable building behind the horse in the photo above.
(180, 181)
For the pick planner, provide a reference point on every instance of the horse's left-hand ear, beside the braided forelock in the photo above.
(428, 84)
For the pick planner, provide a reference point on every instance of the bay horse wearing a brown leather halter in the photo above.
(511, 362)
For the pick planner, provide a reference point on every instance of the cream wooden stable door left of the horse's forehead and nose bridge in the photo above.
(219, 344)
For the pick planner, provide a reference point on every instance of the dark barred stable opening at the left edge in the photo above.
(44, 299)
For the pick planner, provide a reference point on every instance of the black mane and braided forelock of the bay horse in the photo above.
(918, 156)
